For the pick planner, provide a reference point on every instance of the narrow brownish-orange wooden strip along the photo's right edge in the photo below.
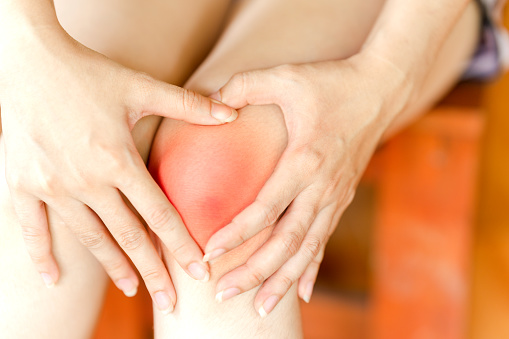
(490, 294)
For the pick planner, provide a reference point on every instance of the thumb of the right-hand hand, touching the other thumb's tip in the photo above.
(251, 88)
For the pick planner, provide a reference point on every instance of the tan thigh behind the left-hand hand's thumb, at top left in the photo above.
(166, 39)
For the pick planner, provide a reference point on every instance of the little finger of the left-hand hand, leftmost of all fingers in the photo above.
(33, 219)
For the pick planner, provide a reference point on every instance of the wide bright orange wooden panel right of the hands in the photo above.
(425, 201)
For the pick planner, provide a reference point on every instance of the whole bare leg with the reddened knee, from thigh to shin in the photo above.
(207, 172)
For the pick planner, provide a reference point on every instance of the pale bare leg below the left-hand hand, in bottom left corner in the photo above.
(28, 309)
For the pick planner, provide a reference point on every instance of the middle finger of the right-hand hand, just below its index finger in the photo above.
(284, 242)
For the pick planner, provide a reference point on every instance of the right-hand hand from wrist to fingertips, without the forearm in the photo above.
(336, 114)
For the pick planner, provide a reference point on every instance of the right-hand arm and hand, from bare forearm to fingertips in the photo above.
(336, 113)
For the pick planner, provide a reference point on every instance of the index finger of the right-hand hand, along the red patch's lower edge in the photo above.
(274, 197)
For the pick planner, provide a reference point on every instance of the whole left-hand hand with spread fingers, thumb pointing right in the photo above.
(67, 113)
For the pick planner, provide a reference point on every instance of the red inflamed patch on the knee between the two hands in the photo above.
(210, 174)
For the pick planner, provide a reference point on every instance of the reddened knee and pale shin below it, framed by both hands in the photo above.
(210, 174)
